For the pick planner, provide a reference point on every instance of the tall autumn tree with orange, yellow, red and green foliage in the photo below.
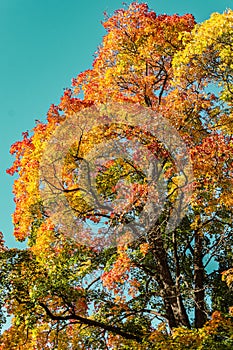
(159, 288)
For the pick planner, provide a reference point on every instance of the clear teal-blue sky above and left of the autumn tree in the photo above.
(43, 45)
